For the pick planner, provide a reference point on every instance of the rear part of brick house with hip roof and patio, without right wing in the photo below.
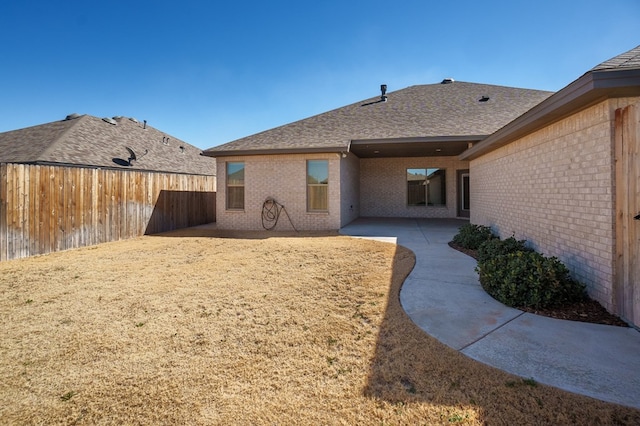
(356, 160)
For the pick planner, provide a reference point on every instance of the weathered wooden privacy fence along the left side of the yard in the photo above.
(51, 208)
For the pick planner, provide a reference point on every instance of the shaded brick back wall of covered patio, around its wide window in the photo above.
(383, 187)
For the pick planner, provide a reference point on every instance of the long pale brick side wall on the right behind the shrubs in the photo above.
(555, 188)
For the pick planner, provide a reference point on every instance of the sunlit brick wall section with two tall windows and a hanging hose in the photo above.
(282, 177)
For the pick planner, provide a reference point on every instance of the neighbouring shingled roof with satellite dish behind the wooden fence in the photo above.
(94, 142)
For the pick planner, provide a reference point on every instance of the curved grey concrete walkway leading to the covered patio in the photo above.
(443, 296)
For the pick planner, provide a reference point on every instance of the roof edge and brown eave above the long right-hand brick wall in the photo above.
(616, 77)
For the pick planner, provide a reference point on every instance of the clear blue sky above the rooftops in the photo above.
(209, 72)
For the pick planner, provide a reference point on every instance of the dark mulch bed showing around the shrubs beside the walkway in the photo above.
(586, 311)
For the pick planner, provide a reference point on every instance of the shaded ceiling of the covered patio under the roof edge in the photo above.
(412, 147)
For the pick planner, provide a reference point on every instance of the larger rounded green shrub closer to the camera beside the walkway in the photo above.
(529, 279)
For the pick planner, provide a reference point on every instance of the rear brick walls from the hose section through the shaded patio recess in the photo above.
(357, 187)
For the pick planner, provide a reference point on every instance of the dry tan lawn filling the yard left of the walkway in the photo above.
(194, 327)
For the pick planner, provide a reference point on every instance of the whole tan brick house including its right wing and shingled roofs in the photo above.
(557, 169)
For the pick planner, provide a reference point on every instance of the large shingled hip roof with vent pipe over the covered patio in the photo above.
(409, 120)
